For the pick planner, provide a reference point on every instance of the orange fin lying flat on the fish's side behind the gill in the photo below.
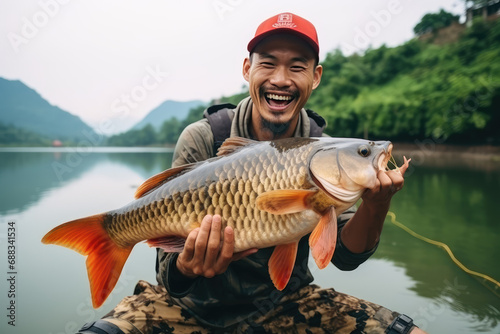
(285, 201)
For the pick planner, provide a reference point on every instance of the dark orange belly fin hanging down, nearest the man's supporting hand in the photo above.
(281, 264)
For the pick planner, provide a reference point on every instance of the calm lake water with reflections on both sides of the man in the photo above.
(451, 201)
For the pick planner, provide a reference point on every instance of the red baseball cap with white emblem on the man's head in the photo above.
(288, 23)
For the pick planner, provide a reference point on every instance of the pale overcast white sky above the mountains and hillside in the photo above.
(103, 60)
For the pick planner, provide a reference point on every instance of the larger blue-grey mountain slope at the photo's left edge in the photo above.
(24, 108)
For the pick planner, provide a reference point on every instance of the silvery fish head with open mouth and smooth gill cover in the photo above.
(344, 168)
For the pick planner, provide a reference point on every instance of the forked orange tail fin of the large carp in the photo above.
(105, 259)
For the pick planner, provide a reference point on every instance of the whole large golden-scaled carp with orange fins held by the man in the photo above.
(271, 193)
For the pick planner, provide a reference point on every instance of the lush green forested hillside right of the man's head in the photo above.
(416, 90)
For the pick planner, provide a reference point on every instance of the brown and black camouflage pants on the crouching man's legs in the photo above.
(309, 310)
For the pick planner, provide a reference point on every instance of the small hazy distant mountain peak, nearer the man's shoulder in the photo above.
(166, 111)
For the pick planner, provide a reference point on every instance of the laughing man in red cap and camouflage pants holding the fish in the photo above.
(207, 288)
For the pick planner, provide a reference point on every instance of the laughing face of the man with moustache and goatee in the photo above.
(282, 74)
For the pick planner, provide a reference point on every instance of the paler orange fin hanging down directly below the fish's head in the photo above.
(323, 238)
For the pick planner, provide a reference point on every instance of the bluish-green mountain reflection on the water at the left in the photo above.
(25, 177)
